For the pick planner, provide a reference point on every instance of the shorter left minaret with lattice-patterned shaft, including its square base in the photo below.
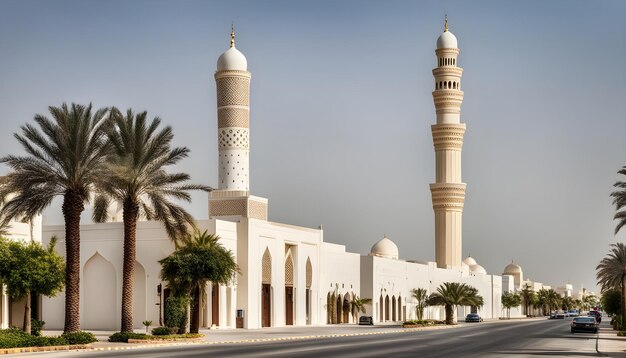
(232, 199)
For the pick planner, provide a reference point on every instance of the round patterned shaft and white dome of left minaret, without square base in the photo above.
(233, 119)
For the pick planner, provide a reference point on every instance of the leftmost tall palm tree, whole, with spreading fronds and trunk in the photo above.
(65, 157)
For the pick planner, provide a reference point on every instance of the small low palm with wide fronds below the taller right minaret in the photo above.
(452, 294)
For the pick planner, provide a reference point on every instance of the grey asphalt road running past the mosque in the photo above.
(489, 339)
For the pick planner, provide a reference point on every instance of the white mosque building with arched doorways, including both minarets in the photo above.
(289, 275)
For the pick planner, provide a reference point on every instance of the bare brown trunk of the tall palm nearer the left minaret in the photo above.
(131, 211)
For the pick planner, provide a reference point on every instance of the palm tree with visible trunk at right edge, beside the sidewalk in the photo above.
(611, 272)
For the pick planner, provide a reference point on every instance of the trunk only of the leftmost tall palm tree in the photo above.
(73, 206)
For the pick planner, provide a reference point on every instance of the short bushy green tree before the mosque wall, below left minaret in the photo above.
(200, 259)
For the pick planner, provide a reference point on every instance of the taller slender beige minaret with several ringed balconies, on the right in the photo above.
(448, 191)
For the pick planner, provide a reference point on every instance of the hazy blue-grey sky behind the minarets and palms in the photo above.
(341, 109)
